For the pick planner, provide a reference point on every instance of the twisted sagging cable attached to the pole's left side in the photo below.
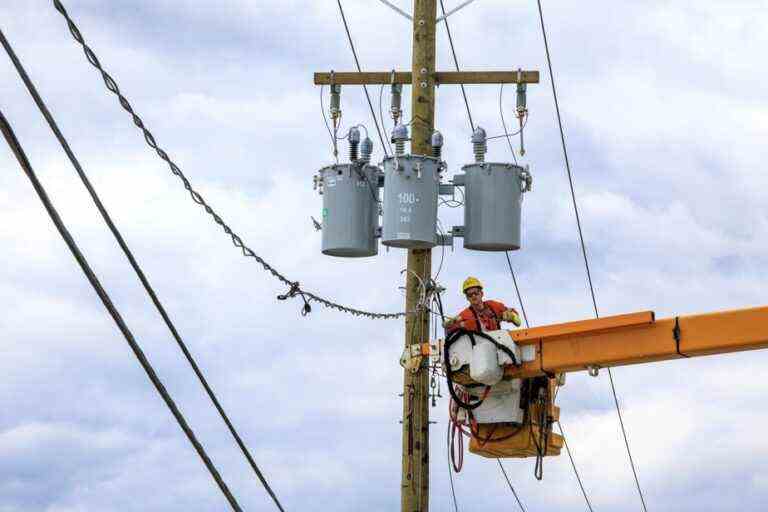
(237, 241)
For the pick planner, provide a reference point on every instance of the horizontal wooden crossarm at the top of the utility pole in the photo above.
(440, 77)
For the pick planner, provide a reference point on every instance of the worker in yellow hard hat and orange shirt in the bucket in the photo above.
(480, 315)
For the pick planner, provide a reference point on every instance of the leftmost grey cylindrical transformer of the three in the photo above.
(350, 210)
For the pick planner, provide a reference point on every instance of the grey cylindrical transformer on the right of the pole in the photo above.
(493, 206)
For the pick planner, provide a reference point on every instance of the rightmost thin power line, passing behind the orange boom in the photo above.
(584, 246)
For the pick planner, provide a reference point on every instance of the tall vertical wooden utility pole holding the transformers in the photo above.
(415, 479)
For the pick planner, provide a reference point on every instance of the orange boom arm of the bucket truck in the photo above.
(638, 338)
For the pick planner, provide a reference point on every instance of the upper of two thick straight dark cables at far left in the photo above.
(132, 260)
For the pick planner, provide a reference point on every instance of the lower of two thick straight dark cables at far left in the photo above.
(18, 151)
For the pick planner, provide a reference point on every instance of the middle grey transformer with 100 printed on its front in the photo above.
(411, 186)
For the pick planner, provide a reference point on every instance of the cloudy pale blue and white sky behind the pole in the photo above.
(665, 113)
